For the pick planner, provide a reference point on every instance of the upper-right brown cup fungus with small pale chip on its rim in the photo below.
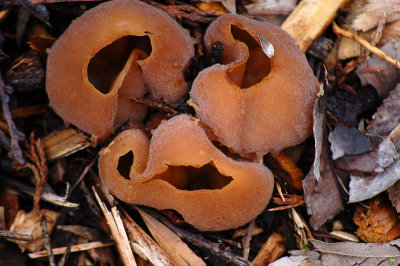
(253, 103)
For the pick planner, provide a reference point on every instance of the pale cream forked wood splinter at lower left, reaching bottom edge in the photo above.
(118, 231)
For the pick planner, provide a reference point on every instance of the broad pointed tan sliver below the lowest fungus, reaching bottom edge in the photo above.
(176, 249)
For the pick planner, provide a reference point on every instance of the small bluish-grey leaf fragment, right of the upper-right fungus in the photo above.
(348, 141)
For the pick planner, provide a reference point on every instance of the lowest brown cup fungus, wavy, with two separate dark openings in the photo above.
(180, 169)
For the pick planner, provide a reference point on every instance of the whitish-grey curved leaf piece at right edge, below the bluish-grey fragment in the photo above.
(362, 188)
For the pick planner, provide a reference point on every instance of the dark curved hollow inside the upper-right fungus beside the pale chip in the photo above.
(258, 65)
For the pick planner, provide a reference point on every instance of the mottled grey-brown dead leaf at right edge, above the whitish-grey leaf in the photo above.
(387, 116)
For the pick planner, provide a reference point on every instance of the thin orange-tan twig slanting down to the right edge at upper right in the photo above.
(373, 49)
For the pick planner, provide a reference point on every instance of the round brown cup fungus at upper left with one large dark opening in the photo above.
(117, 50)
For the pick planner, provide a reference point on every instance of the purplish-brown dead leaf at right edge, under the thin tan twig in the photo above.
(379, 73)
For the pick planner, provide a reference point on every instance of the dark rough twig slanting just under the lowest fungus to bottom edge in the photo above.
(201, 242)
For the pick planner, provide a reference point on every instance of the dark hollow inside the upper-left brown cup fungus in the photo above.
(105, 66)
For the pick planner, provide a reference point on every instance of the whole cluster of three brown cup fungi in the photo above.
(248, 102)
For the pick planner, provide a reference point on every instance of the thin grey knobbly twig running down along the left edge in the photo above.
(15, 151)
